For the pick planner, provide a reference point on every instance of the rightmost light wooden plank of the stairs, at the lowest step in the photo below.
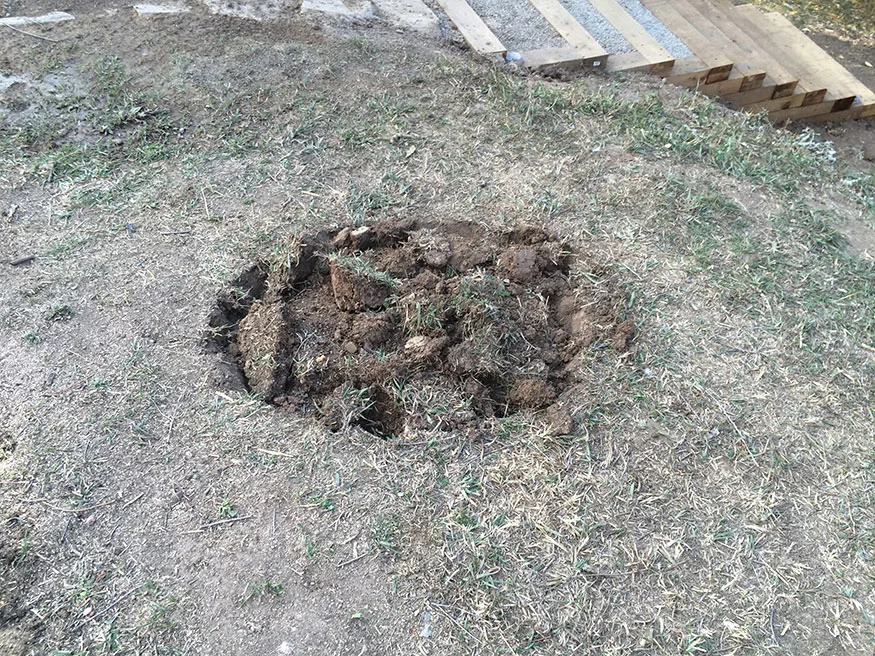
(815, 66)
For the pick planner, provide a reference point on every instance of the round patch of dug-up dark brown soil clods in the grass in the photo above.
(402, 327)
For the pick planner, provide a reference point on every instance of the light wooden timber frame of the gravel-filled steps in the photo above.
(753, 60)
